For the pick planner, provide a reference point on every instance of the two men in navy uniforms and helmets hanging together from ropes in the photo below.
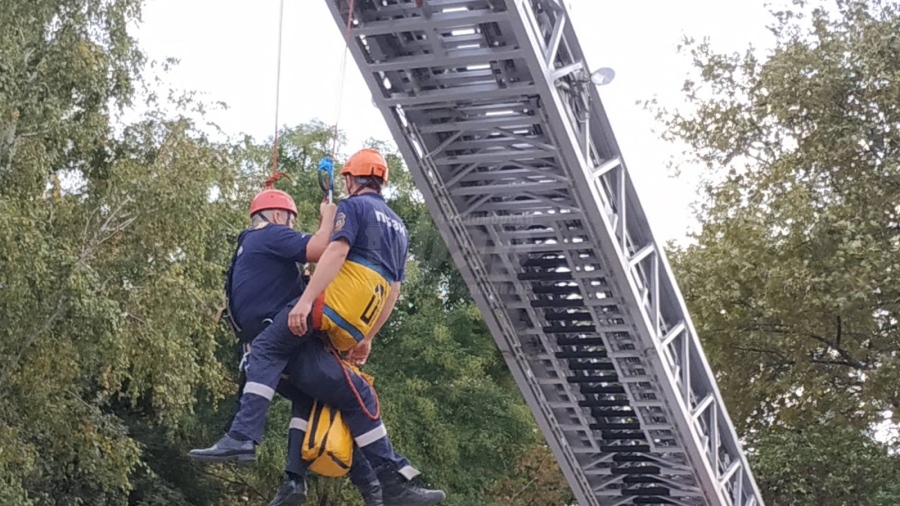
(302, 331)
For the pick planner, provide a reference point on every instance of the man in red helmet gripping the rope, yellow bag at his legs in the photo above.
(270, 258)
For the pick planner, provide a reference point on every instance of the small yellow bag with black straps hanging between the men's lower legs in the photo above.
(328, 443)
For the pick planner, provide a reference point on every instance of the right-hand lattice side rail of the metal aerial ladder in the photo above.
(704, 455)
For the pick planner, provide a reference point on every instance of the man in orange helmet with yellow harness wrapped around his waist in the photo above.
(350, 296)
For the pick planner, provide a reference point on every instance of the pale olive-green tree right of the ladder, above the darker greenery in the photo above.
(792, 278)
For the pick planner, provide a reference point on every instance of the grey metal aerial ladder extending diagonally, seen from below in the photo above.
(492, 107)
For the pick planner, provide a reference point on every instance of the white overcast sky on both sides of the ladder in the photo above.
(228, 51)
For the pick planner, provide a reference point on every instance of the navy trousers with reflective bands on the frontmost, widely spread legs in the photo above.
(318, 374)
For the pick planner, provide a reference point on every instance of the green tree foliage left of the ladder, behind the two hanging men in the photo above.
(114, 239)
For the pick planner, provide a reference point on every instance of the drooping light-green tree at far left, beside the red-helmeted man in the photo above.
(111, 251)
